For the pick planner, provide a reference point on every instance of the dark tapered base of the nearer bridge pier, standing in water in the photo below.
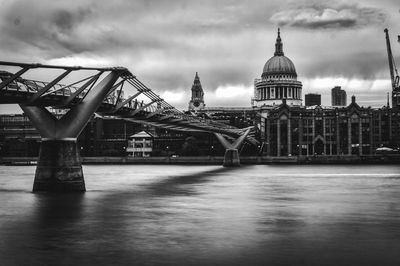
(59, 167)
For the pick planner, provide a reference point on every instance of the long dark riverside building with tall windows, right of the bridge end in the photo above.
(350, 130)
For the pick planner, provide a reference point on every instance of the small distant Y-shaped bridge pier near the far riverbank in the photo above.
(231, 157)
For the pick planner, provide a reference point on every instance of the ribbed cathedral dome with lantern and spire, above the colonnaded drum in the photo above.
(279, 64)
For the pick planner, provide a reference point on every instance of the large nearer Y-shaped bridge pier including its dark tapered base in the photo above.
(59, 167)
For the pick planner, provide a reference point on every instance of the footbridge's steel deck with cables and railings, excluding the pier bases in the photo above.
(85, 82)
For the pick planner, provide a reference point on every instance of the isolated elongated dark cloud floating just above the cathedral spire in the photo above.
(330, 15)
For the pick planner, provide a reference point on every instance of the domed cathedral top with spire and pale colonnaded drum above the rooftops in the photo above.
(278, 81)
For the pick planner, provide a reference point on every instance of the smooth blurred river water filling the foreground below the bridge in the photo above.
(205, 215)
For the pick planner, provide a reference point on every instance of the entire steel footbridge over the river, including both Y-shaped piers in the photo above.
(112, 92)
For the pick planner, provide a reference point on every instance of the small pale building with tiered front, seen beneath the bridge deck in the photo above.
(140, 145)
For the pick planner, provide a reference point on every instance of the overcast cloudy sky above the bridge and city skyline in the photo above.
(332, 43)
